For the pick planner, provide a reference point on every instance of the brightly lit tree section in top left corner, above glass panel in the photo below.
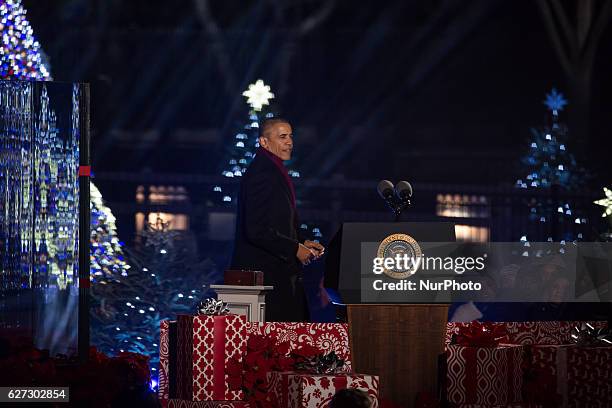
(20, 55)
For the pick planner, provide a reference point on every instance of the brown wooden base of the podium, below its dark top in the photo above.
(401, 344)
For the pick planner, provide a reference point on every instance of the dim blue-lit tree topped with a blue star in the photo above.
(550, 166)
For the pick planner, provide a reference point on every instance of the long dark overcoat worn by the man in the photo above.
(267, 237)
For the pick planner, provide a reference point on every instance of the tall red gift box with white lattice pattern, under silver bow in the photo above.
(204, 347)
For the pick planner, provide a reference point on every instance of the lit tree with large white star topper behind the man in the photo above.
(245, 143)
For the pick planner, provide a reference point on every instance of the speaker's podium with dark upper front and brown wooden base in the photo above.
(399, 342)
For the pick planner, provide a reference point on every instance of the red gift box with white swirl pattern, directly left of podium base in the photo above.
(326, 337)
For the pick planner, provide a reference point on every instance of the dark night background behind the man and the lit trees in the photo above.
(440, 93)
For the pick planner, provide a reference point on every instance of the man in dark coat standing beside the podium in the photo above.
(267, 233)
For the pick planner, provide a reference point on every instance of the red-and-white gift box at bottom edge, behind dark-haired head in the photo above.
(300, 390)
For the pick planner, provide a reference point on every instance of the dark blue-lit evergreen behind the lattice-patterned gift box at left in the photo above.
(165, 278)
